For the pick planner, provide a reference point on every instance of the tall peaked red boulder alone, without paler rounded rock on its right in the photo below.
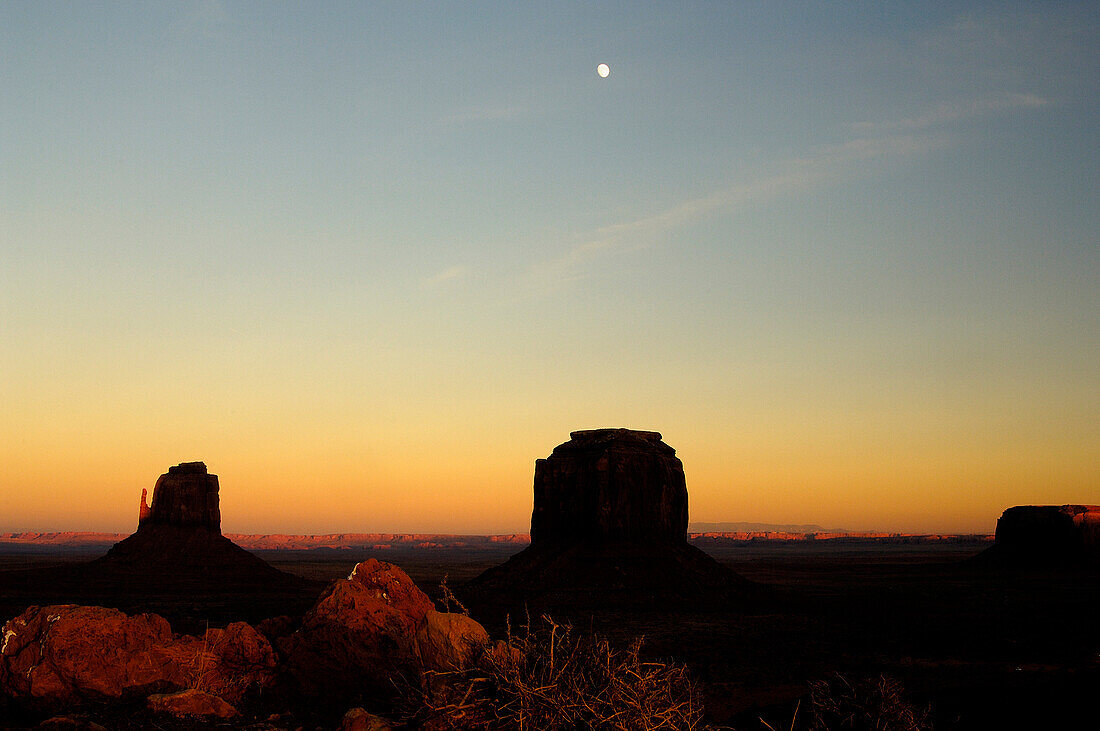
(360, 634)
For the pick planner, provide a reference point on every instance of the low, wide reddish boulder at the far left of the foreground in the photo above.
(64, 656)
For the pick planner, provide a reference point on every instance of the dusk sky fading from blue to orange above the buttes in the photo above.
(370, 261)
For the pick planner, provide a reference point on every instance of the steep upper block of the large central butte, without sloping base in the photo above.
(610, 485)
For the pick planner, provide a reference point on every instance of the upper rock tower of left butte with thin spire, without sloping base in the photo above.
(185, 496)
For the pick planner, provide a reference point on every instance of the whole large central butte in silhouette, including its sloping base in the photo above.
(610, 526)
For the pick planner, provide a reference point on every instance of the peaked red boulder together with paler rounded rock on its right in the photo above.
(370, 629)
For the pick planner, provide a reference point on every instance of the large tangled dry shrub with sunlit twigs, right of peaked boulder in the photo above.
(551, 678)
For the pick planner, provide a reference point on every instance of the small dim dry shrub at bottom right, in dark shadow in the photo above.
(872, 705)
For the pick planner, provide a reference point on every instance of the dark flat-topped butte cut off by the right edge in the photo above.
(1047, 536)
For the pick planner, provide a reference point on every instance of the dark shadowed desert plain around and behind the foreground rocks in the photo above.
(981, 648)
